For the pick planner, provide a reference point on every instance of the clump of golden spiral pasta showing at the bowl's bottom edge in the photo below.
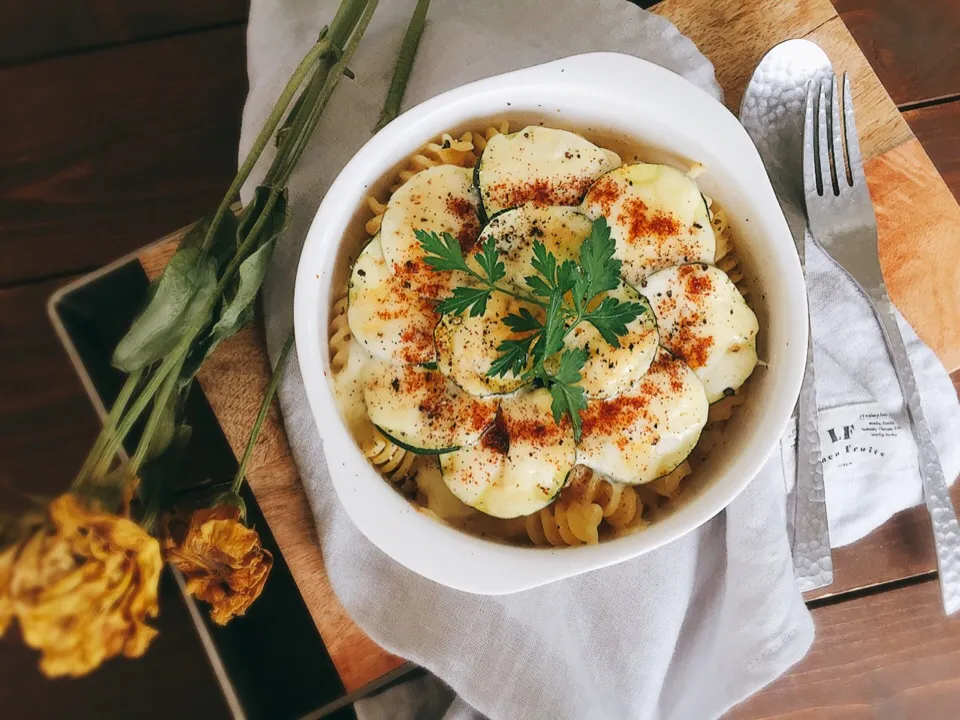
(587, 502)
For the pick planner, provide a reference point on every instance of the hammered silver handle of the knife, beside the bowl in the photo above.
(812, 562)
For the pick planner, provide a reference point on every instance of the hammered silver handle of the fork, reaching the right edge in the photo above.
(946, 531)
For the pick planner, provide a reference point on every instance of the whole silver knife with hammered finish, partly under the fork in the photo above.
(772, 112)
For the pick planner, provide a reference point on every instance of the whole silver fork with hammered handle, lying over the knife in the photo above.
(843, 223)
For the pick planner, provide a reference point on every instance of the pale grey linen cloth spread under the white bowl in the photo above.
(684, 632)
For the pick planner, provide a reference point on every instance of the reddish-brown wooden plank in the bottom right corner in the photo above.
(888, 655)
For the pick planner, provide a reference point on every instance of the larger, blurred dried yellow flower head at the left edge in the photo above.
(82, 587)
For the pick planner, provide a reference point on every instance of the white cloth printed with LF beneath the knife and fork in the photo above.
(855, 378)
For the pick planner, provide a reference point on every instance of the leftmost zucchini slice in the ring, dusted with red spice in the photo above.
(390, 321)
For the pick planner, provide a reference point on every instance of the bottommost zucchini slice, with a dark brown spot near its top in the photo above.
(520, 463)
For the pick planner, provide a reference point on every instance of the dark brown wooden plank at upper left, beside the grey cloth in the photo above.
(97, 161)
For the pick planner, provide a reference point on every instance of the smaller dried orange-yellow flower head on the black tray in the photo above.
(222, 559)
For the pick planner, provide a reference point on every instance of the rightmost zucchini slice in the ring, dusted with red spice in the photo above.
(705, 321)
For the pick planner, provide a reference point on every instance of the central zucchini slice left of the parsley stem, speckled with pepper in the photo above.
(467, 346)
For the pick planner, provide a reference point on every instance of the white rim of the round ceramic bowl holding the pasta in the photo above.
(413, 538)
